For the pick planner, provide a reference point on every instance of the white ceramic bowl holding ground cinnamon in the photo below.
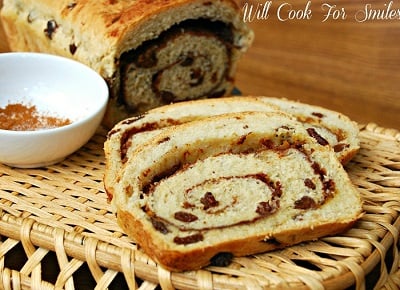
(60, 87)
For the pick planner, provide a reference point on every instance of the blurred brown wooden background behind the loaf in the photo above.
(340, 64)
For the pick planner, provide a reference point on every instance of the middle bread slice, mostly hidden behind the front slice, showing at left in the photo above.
(132, 132)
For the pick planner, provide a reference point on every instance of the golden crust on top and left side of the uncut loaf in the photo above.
(105, 28)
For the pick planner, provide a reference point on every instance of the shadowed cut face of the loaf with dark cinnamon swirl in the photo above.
(190, 60)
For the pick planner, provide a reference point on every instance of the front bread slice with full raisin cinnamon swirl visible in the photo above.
(232, 185)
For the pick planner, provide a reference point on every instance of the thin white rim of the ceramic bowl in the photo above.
(100, 106)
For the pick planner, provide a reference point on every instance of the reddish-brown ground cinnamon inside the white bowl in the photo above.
(20, 117)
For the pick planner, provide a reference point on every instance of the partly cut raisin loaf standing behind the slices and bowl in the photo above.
(150, 52)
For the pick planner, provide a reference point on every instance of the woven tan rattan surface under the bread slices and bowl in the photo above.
(57, 232)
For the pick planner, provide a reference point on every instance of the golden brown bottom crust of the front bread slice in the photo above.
(200, 257)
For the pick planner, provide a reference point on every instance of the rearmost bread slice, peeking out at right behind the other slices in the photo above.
(333, 127)
